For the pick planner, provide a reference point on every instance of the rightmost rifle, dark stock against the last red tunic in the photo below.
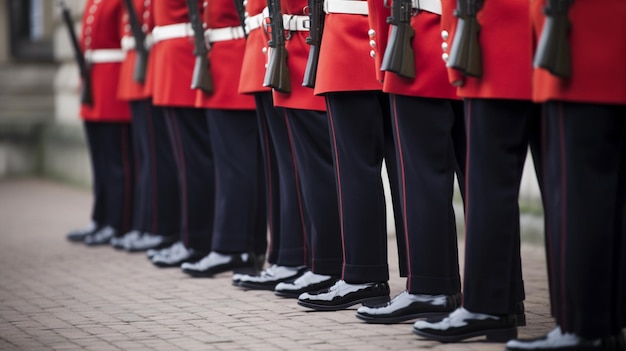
(553, 50)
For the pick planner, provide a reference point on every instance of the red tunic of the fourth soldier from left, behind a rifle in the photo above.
(225, 61)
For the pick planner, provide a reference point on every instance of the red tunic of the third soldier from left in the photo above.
(172, 60)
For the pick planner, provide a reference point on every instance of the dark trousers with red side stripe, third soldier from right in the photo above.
(426, 165)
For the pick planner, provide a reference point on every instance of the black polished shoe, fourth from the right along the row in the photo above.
(343, 295)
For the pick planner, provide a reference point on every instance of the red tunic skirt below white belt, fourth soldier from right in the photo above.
(345, 63)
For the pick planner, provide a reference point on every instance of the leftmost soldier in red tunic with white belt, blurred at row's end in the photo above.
(107, 125)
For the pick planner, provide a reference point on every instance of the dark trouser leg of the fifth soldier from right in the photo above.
(308, 133)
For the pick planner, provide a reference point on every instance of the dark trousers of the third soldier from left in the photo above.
(189, 137)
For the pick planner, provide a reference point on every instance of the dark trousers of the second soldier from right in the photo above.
(499, 133)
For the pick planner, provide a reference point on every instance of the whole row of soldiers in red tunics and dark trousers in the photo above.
(209, 121)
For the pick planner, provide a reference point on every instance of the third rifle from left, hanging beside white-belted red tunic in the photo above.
(201, 78)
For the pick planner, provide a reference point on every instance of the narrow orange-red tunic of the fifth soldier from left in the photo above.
(255, 56)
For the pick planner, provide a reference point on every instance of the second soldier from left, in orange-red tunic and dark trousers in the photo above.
(157, 214)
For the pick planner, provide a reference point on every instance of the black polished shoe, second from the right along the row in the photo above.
(462, 324)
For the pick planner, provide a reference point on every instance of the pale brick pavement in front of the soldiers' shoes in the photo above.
(55, 295)
